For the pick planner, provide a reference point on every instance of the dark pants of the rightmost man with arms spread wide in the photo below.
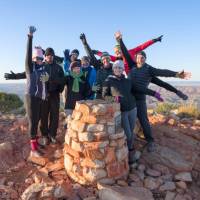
(143, 119)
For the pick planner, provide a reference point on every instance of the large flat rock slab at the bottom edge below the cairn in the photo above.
(125, 193)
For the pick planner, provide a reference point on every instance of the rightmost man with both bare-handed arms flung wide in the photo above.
(141, 75)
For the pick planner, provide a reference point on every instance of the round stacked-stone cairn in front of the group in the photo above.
(95, 148)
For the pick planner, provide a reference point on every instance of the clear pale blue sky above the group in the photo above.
(59, 24)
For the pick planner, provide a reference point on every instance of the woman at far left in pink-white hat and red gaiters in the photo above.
(36, 89)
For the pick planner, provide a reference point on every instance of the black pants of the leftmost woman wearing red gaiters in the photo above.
(33, 110)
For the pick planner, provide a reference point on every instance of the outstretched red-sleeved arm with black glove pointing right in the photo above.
(144, 45)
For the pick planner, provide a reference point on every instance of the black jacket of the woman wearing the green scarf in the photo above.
(72, 97)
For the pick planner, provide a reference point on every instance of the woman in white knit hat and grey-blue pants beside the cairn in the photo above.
(120, 89)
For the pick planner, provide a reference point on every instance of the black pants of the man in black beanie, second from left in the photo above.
(50, 115)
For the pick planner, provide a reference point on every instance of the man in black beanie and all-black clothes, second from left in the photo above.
(51, 107)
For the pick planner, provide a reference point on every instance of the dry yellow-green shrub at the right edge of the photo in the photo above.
(188, 111)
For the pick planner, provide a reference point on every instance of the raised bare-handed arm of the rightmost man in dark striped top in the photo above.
(127, 56)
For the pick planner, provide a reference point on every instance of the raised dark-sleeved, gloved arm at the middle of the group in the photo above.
(90, 54)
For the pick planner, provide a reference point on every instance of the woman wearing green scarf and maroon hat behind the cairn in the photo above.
(77, 87)
